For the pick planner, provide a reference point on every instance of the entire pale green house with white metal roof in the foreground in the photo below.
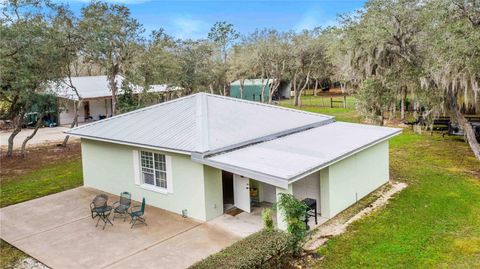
(199, 154)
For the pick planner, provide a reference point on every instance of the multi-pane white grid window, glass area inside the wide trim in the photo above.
(154, 169)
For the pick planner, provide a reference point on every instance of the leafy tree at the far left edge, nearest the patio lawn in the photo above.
(30, 57)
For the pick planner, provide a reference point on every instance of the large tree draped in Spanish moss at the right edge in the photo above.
(426, 50)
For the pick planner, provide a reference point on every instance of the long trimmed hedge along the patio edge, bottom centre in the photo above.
(250, 252)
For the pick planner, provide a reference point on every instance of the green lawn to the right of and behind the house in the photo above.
(434, 223)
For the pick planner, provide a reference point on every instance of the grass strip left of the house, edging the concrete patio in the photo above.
(37, 183)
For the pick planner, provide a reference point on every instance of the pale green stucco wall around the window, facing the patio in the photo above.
(109, 167)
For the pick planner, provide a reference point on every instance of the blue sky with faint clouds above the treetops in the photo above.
(194, 18)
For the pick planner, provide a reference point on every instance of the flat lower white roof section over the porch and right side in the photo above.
(285, 159)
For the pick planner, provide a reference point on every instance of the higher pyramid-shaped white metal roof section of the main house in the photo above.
(201, 123)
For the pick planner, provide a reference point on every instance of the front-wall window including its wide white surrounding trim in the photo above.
(158, 164)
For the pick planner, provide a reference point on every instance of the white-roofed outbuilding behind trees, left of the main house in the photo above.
(97, 97)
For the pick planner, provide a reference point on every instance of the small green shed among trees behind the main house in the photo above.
(252, 90)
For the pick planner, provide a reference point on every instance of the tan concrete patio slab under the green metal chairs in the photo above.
(58, 231)
